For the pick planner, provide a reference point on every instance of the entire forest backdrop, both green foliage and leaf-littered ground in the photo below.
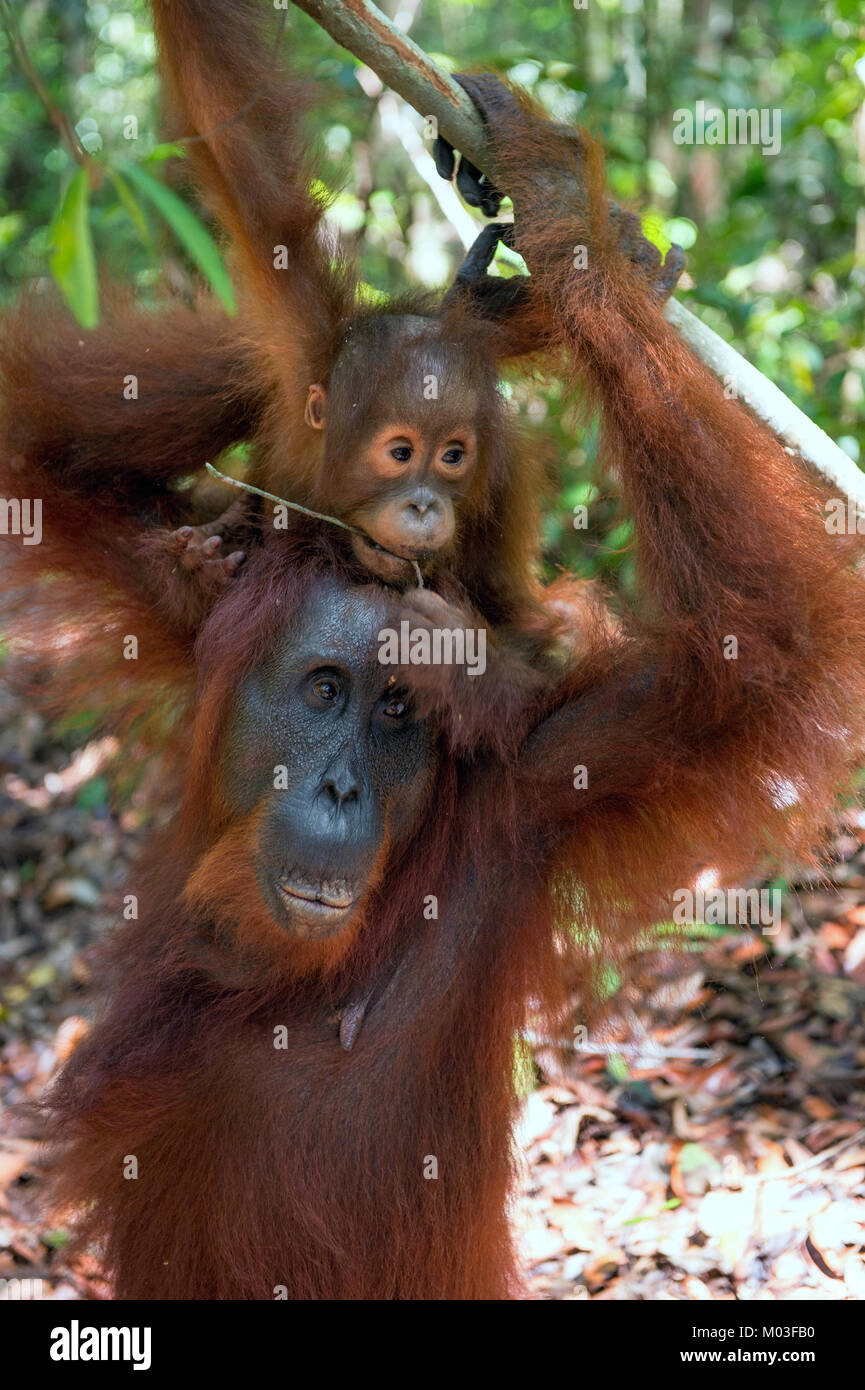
(714, 1147)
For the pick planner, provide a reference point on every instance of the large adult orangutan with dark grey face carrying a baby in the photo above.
(304, 1082)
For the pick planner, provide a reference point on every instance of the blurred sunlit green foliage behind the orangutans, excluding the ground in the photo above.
(775, 243)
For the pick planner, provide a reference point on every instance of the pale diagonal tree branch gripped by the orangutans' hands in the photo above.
(369, 35)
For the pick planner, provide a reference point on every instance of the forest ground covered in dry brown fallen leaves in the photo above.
(709, 1143)
